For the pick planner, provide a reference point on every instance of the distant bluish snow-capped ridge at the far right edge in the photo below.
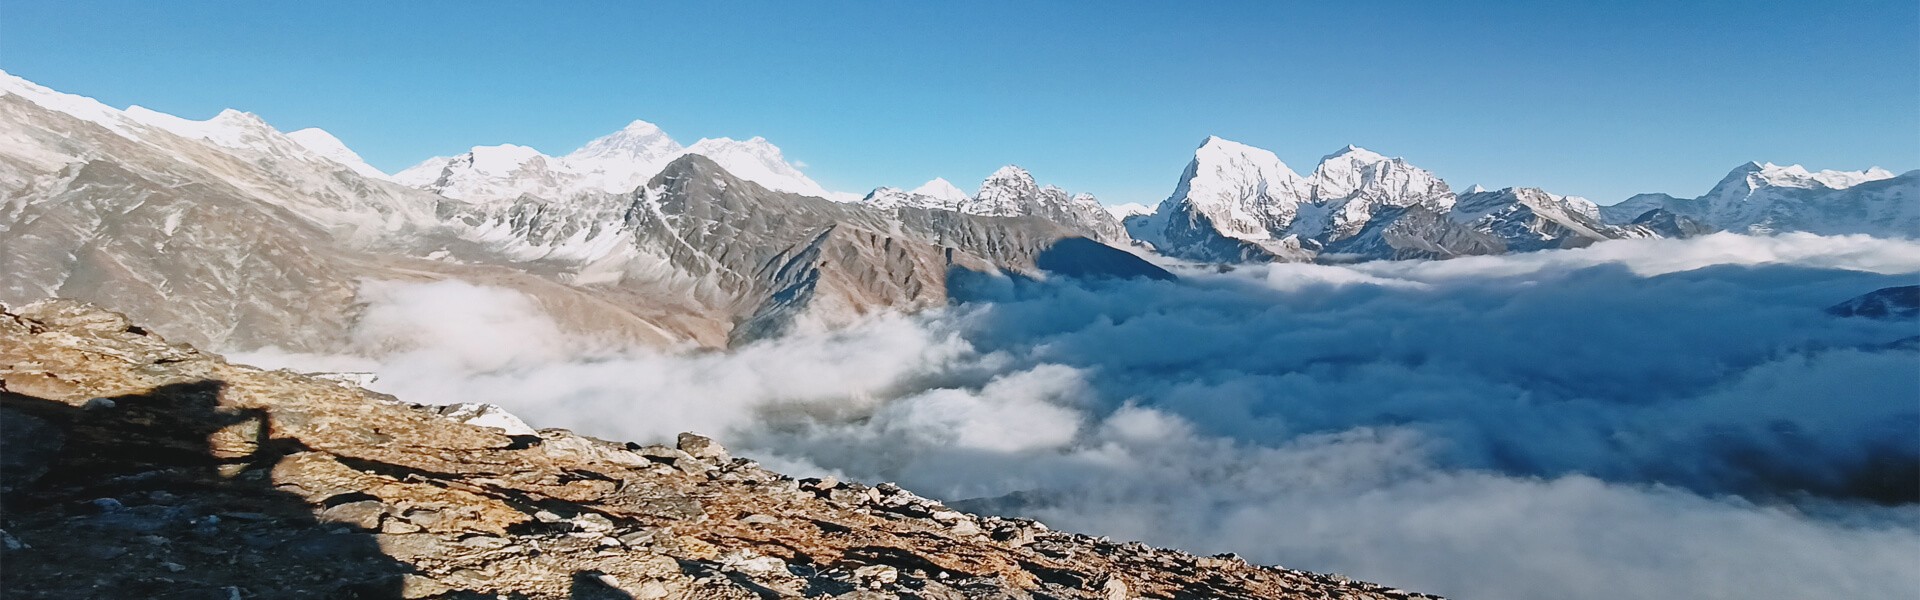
(1775, 199)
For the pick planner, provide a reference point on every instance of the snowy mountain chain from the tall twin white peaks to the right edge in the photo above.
(1237, 203)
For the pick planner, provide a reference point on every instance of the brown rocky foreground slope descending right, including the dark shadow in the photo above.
(135, 468)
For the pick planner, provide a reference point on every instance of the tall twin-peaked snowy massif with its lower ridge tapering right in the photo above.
(1237, 203)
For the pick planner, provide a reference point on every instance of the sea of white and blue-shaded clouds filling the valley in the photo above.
(1633, 420)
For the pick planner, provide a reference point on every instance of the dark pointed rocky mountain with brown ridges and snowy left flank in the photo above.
(777, 261)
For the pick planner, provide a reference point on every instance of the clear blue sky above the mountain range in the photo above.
(1596, 99)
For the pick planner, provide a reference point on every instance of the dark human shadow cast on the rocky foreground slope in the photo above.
(166, 495)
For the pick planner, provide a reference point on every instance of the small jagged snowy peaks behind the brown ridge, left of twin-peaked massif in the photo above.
(1011, 193)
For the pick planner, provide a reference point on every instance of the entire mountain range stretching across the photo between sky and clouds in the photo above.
(241, 236)
